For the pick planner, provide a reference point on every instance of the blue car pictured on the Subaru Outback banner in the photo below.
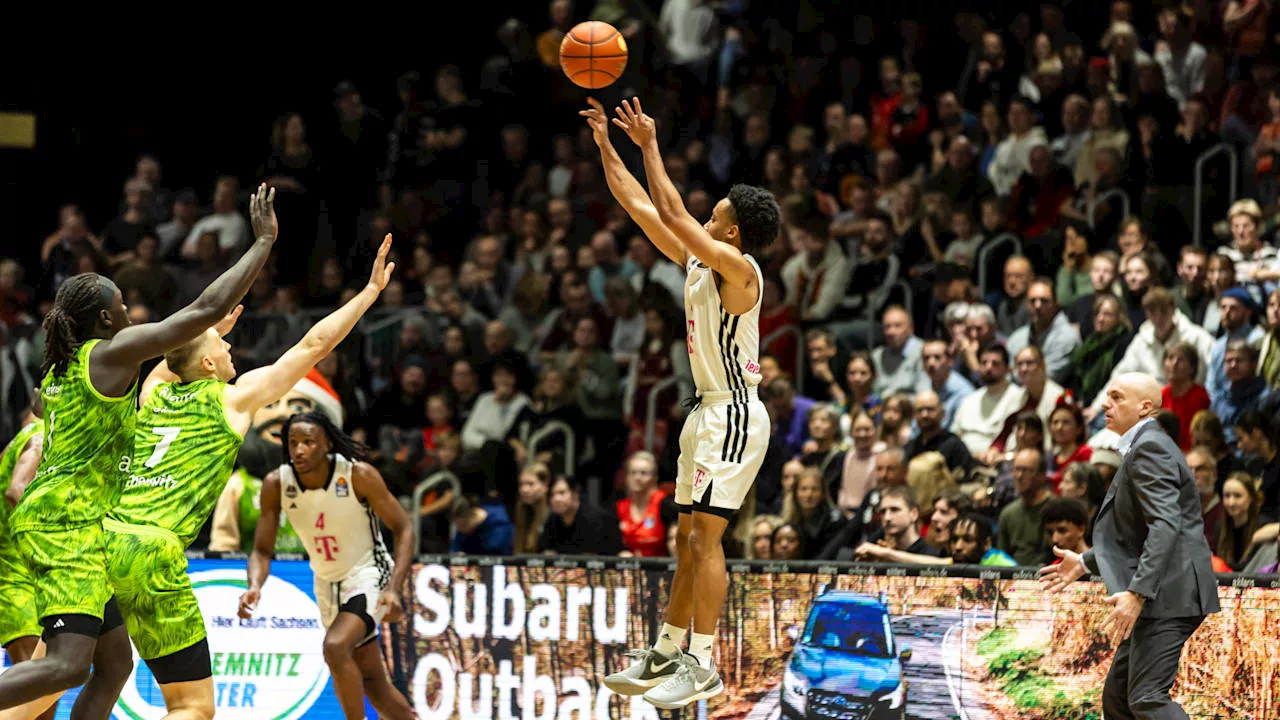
(847, 664)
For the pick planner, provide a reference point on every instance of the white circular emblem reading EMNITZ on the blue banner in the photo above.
(266, 668)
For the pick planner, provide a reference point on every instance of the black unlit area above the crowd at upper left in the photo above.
(205, 106)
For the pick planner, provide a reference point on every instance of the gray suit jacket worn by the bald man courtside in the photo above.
(1149, 536)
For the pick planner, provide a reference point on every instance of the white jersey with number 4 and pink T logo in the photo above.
(340, 531)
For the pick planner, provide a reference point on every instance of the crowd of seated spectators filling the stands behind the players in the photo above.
(989, 215)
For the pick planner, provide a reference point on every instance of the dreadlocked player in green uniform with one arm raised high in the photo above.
(90, 390)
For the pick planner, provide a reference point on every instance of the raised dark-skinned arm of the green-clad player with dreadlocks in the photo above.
(122, 356)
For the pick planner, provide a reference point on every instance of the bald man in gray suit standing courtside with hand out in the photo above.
(1149, 546)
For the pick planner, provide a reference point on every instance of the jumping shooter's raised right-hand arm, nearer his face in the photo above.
(723, 258)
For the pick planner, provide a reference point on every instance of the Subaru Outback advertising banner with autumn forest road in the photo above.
(534, 640)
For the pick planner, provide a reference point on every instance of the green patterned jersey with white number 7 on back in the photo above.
(184, 452)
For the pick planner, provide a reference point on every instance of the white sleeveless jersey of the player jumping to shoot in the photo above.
(724, 349)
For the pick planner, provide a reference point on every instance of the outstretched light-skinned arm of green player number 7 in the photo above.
(268, 385)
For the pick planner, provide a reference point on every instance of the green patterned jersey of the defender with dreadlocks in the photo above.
(89, 440)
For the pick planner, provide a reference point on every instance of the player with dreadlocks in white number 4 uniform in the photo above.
(333, 499)
